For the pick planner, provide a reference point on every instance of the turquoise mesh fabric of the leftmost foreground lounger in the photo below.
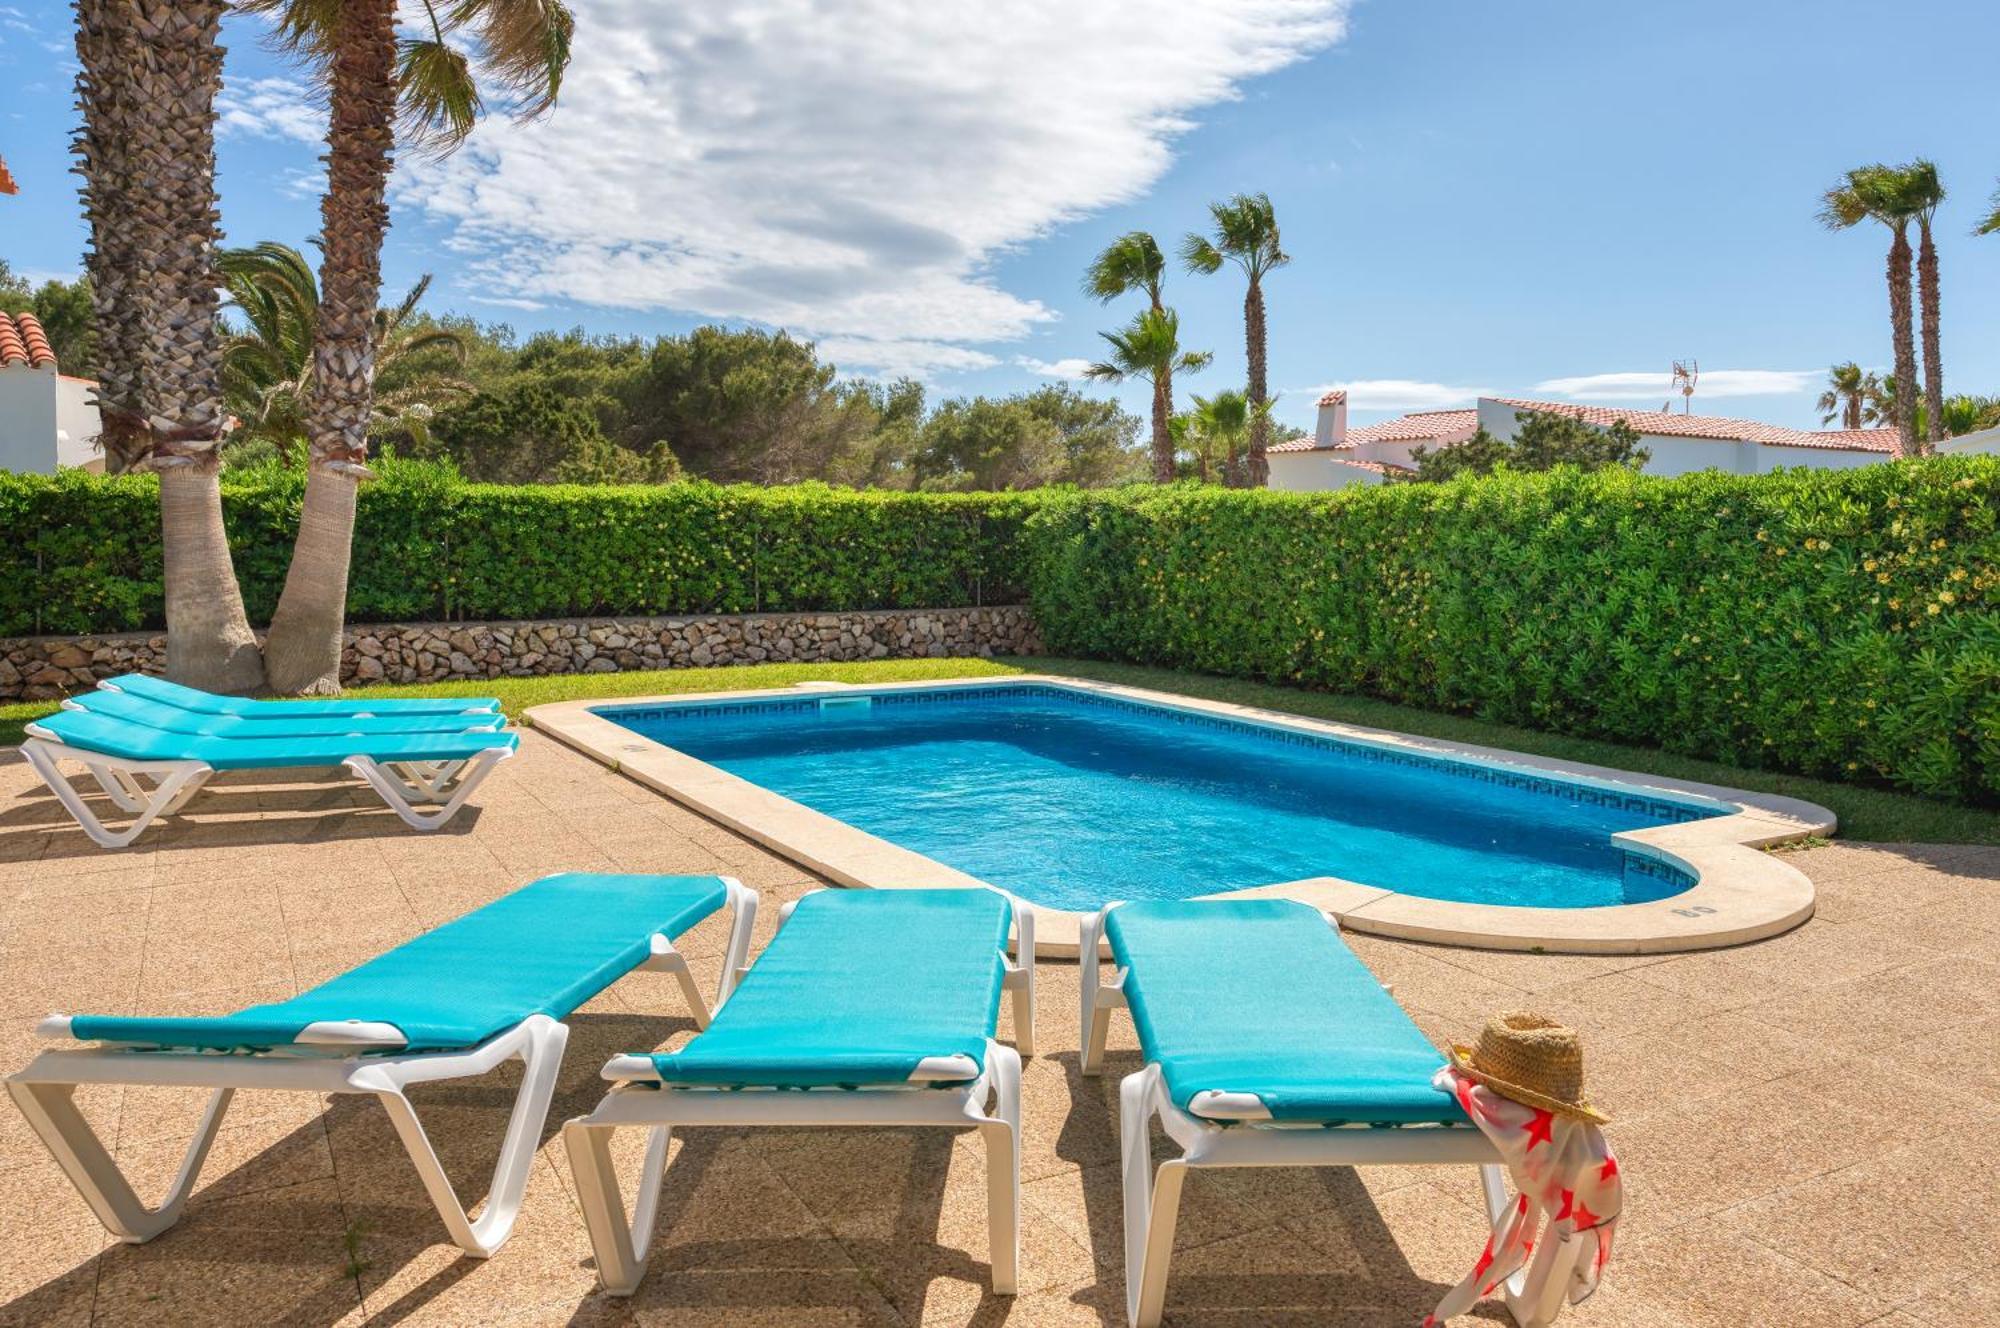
(545, 949)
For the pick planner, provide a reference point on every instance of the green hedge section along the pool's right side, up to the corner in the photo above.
(1831, 623)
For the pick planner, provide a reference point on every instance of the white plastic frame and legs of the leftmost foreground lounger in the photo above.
(331, 1057)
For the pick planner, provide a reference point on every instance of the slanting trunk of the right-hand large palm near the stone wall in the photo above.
(305, 635)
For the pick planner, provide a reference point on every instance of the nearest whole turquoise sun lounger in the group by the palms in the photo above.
(151, 773)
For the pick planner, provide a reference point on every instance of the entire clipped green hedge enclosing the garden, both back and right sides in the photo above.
(1831, 623)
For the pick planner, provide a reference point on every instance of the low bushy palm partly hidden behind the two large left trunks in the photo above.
(267, 363)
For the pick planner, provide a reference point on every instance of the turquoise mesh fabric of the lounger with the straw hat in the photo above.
(1263, 997)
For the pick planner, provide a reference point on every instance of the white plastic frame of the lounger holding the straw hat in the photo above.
(1235, 1129)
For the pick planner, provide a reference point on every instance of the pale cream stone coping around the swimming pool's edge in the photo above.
(1739, 895)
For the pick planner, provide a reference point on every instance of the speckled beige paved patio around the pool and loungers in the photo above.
(1809, 1125)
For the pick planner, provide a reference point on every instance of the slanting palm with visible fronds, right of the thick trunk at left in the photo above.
(425, 89)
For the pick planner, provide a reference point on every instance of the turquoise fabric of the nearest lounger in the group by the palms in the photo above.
(97, 733)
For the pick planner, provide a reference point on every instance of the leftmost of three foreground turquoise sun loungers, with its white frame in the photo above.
(455, 1003)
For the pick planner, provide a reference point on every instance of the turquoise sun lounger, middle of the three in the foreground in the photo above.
(869, 1009)
